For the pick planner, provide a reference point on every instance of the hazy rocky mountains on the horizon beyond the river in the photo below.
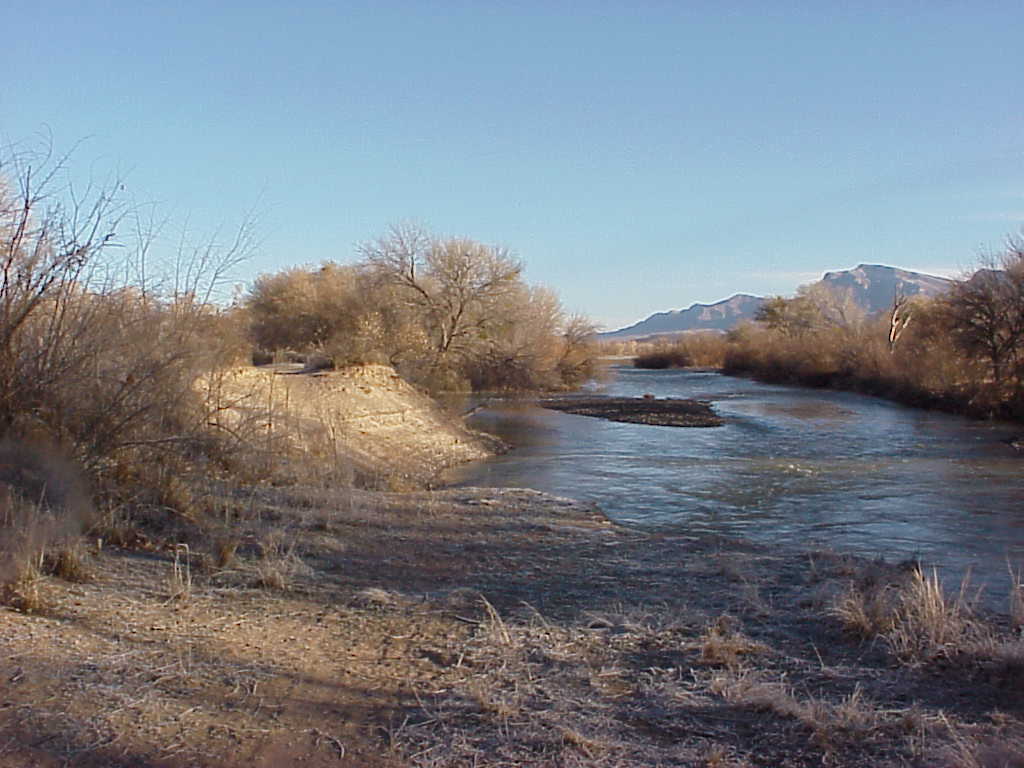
(871, 286)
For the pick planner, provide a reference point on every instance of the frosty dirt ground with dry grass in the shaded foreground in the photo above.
(325, 627)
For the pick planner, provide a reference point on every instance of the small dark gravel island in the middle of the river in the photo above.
(664, 413)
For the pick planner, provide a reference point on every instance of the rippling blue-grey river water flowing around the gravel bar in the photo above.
(791, 467)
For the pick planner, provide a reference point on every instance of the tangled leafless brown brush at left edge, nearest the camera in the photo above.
(101, 353)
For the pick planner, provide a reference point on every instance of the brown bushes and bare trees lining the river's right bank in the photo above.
(963, 352)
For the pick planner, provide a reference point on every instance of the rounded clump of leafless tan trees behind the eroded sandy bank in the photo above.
(448, 314)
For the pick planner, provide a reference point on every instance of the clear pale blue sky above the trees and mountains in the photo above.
(637, 156)
